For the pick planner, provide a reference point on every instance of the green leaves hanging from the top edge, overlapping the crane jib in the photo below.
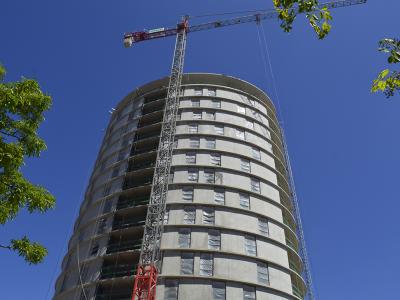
(318, 17)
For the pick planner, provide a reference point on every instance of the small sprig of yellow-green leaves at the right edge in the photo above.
(388, 81)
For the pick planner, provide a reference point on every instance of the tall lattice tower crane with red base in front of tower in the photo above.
(150, 255)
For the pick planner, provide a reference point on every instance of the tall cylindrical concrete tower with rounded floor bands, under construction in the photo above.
(229, 231)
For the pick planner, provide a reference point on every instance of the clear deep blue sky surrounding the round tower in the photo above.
(343, 140)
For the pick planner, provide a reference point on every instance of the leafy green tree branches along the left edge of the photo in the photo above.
(22, 105)
